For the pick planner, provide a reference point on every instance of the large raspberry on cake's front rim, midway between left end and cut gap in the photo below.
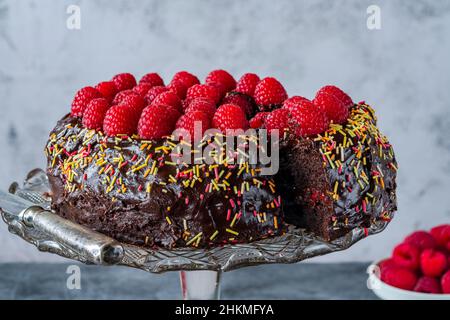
(156, 122)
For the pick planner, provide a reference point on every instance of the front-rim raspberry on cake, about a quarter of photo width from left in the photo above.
(120, 119)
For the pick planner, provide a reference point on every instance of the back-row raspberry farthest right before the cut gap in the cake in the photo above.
(269, 93)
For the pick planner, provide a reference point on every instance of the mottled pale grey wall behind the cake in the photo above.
(403, 70)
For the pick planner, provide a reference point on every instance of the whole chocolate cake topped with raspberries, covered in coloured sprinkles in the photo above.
(113, 162)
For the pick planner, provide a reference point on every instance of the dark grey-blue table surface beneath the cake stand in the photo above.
(298, 281)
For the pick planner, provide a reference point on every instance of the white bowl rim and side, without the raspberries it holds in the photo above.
(388, 292)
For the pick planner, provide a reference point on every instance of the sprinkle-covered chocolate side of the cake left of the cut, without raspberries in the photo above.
(131, 190)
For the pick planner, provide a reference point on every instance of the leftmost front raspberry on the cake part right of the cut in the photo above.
(307, 120)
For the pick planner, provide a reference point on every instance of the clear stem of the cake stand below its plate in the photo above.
(200, 285)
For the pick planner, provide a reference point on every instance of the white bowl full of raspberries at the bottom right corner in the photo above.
(419, 268)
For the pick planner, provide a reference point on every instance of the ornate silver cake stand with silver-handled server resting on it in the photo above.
(26, 211)
